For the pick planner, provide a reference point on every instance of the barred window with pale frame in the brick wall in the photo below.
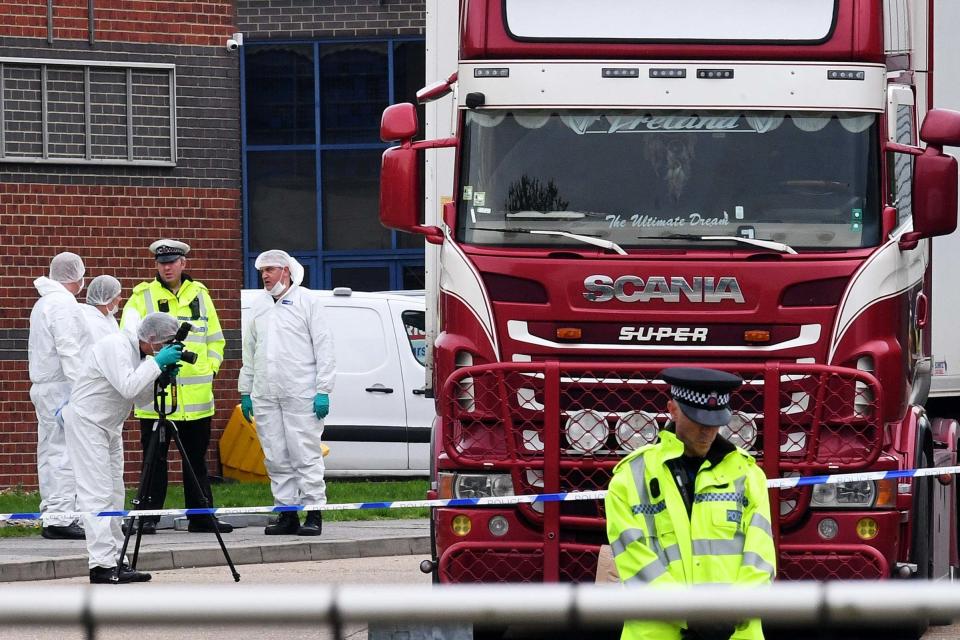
(78, 112)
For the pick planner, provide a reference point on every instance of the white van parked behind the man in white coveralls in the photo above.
(380, 419)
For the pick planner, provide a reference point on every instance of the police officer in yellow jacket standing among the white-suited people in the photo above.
(176, 293)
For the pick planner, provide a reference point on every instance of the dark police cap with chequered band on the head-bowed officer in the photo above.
(702, 394)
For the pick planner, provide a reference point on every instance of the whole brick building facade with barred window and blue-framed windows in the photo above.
(124, 121)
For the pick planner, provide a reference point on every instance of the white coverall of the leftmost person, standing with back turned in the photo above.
(56, 349)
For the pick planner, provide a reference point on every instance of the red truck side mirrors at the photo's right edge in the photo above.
(935, 179)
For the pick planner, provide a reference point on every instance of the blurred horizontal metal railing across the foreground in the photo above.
(819, 604)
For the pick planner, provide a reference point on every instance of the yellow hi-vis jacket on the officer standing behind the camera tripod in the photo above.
(191, 304)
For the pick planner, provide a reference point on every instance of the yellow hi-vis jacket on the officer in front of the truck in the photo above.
(727, 539)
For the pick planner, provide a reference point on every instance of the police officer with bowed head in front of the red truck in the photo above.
(692, 508)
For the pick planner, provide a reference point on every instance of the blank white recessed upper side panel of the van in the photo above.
(357, 338)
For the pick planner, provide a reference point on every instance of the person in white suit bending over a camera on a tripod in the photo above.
(118, 373)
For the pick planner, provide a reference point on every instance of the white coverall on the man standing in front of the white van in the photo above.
(288, 358)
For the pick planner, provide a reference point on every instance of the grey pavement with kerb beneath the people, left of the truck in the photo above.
(35, 558)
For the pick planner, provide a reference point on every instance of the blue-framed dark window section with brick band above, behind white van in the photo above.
(316, 76)
